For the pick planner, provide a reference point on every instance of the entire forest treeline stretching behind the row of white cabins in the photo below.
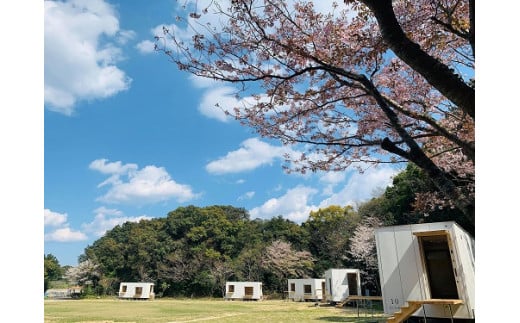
(194, 250)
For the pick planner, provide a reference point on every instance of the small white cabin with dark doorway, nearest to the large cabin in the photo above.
(340, 283)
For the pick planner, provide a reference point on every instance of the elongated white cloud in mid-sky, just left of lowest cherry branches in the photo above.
(253, 154)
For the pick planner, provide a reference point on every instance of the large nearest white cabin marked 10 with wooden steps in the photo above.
(427, 269)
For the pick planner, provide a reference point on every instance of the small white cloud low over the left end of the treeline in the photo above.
(106, 219)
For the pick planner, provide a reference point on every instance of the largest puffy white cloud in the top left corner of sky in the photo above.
(78, 66)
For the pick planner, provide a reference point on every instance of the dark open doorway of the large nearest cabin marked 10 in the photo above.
(439, 266)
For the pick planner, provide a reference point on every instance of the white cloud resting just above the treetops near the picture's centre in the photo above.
(293, 205)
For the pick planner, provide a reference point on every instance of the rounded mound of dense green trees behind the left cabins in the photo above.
(194, 251)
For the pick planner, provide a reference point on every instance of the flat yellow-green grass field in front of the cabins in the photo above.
(112, 310)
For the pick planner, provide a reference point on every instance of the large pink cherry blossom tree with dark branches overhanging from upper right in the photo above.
(372, 81)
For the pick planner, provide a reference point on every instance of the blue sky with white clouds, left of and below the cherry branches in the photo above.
(129, 137)
